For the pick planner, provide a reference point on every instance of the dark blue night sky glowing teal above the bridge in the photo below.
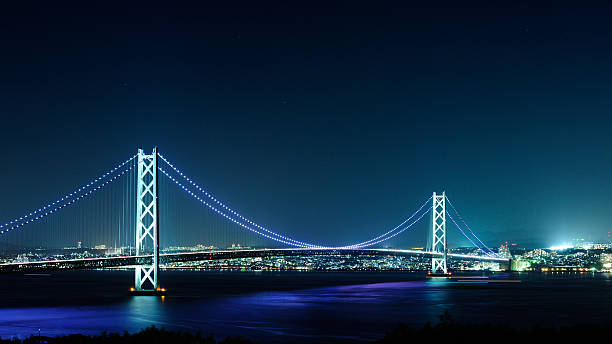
(326, 123)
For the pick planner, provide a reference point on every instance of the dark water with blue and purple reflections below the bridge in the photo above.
(294, 306)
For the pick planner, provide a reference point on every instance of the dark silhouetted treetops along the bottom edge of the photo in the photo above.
(446, 330)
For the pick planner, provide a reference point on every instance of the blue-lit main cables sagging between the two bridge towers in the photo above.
(283, 239)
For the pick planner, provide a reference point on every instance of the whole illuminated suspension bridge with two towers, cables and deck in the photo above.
(127, 223)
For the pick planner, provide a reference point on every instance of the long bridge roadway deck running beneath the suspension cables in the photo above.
(165, 258)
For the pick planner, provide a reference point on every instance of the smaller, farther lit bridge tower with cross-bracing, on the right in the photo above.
(438, 263)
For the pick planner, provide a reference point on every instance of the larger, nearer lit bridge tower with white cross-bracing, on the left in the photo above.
(147, 225)
